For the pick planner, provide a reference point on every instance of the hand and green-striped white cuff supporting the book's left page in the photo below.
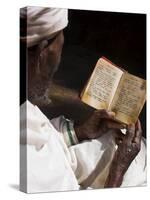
(94, 127)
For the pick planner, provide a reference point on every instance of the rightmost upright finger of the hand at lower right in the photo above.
(138, 133)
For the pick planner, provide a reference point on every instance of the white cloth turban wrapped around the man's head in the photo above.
(43, 23)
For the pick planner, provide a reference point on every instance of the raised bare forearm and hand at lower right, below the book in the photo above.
(128, 148)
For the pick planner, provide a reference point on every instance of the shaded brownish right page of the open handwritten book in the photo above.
(129, 98)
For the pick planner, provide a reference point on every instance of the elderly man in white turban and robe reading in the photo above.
(58, 154)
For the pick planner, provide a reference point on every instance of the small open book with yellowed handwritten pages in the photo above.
(114, 89)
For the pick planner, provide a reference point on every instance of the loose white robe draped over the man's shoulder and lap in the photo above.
(52, 166)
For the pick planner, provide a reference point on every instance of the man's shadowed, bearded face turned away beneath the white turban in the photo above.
(43, 61)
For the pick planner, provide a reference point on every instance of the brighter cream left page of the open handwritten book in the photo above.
(102, 85)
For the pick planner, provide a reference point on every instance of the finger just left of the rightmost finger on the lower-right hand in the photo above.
(130, 133)
